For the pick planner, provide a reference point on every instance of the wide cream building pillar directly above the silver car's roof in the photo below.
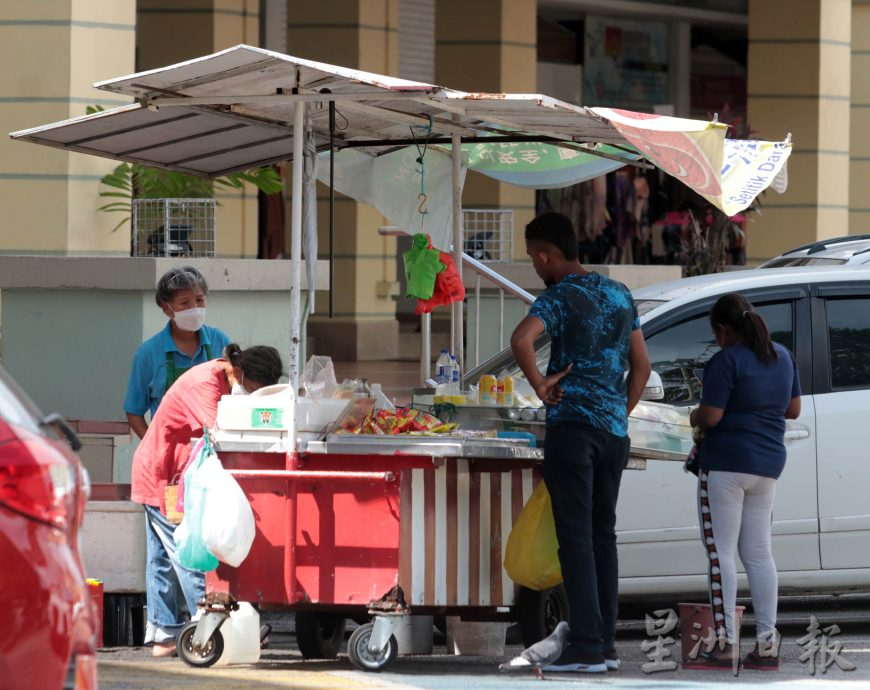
(799, 81)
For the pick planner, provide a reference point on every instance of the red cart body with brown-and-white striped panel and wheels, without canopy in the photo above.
(387, 526)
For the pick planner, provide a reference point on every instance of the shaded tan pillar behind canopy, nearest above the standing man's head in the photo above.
(490, 45)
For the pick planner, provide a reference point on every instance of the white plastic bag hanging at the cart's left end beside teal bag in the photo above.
(227, 520)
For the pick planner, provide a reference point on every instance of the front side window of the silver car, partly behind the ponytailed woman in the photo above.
(679, 353)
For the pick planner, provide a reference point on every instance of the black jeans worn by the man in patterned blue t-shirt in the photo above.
(582, 469)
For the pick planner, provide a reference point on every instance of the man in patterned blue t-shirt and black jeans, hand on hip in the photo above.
(595, 339)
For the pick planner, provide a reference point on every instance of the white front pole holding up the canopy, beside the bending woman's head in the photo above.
(296, 260)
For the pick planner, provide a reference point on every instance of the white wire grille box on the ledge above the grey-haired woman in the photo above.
(174, 227)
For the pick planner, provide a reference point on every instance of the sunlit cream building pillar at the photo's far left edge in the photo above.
(54, 53)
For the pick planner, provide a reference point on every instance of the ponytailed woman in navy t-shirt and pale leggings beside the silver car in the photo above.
(750, 388)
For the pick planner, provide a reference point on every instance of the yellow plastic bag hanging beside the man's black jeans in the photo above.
(531, 557)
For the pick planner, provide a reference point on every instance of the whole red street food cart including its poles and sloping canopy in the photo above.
(356, 525)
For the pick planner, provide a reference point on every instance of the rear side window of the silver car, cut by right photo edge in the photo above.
(849, 341)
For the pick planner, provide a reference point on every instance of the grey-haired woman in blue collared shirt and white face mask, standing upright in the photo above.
(185, 342)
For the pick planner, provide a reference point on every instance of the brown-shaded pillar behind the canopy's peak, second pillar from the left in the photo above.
(173, 32)
